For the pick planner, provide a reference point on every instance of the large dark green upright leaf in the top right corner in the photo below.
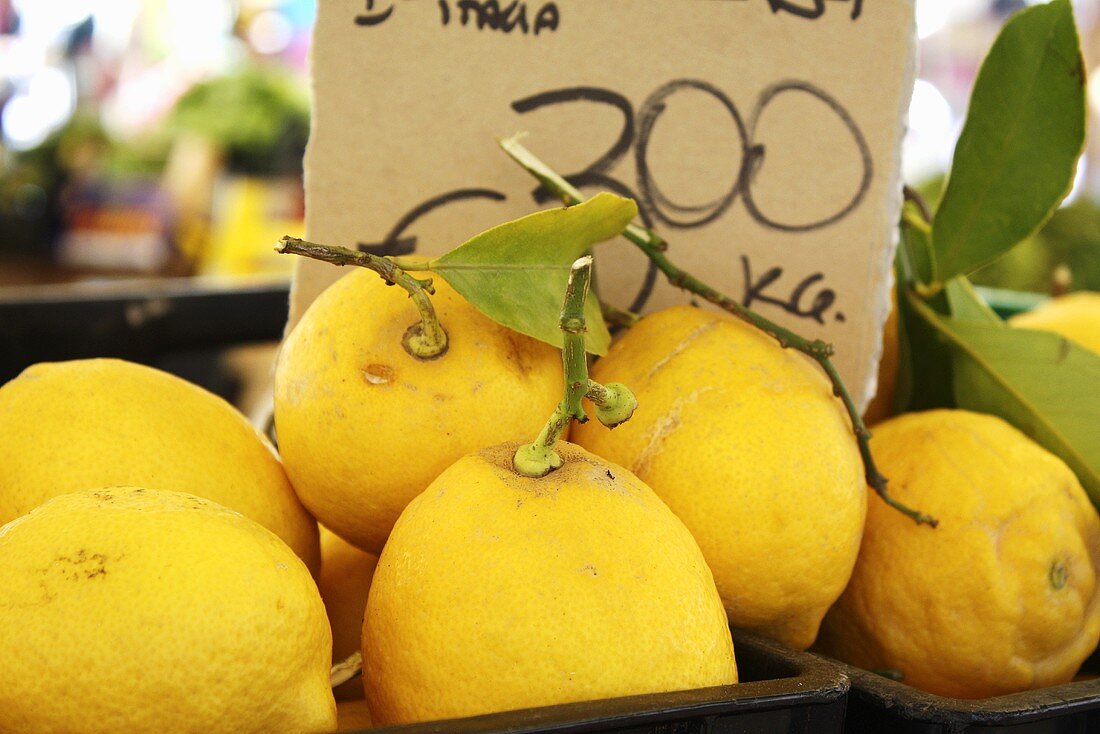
(1026, 130)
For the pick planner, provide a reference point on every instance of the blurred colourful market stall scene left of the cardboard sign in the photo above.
(158, 139)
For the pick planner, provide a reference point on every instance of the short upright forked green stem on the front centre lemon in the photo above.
(540, 459)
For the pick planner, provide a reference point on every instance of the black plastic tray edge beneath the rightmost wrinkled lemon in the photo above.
(879, 705)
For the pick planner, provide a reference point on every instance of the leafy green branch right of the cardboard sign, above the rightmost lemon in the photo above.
(1014, 166)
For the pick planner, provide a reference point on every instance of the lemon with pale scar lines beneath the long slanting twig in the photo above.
(746, 444)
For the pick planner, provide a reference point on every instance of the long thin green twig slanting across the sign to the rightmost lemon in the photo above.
(655, 248)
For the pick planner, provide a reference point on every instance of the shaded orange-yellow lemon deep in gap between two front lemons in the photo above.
(345, 583)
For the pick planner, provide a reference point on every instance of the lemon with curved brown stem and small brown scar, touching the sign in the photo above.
(364, 426)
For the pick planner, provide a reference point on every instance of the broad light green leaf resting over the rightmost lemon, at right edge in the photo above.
(1040, 382)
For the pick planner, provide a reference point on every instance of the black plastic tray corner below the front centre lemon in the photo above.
(782, 691)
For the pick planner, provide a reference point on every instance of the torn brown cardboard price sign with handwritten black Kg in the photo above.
(761, 138)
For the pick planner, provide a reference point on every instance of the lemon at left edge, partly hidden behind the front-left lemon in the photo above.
(86, 424)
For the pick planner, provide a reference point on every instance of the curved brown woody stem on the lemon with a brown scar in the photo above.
(426, 339)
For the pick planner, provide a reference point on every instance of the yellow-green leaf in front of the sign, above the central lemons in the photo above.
(516, 273)
